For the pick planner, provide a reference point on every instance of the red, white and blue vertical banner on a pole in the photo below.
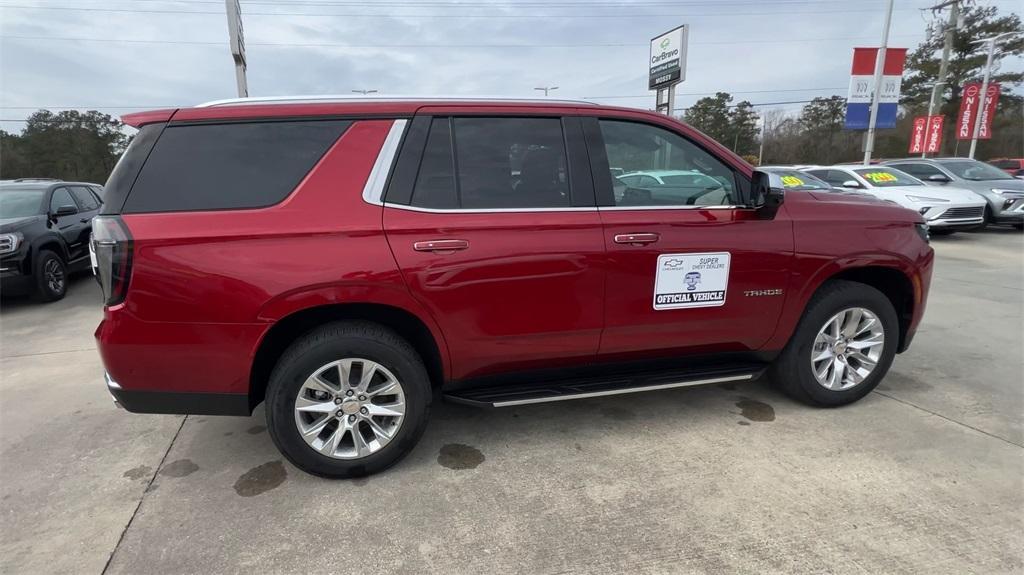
(859, 102)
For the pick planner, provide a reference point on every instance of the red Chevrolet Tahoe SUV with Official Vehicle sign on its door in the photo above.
(349, 261)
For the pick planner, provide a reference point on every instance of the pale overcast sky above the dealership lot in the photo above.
(135, 55)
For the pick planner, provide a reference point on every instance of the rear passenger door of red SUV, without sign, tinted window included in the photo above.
(492, 220)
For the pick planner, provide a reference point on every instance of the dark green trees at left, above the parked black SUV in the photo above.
(70, 146)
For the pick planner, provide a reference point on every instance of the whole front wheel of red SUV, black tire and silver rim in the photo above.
(842, 348)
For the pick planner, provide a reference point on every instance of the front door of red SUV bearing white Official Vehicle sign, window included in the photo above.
(690, 270)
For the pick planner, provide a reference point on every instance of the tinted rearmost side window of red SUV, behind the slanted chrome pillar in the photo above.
(230, 166)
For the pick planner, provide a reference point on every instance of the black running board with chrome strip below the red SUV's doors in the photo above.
(526, 394)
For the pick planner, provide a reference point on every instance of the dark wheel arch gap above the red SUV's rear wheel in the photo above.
(423, 337)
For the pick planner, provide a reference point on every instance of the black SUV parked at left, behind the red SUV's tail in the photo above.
(45, 235)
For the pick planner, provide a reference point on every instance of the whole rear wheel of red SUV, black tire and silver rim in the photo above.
(349, 400)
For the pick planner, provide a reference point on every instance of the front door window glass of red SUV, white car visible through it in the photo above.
(665, 168)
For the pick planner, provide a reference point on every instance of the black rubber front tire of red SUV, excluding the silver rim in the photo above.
(792, 371)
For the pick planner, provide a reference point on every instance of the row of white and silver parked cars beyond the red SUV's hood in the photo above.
(952, 194)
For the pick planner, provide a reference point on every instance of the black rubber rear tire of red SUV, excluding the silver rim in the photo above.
(331, 343)
